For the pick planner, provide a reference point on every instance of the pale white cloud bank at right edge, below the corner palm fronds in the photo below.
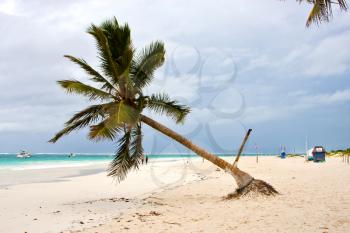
(322, 57)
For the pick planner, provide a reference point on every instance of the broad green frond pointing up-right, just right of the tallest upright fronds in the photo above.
(145, 64)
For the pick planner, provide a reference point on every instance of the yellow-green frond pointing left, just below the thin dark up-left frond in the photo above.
(76, 87)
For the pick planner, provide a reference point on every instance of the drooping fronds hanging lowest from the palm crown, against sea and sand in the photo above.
(129, 154)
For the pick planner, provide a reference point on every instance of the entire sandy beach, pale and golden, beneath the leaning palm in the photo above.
(185, 197)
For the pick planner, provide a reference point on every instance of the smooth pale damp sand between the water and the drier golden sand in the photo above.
(67, 199)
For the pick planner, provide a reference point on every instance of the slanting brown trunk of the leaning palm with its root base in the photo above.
(245, 182)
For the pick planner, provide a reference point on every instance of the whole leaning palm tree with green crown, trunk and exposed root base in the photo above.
(120, 116)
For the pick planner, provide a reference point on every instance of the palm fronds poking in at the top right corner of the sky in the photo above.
(322, 10)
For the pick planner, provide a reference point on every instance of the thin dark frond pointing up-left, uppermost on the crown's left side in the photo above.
(95, 76)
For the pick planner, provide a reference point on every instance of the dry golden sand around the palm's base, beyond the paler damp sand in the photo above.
(314, 198)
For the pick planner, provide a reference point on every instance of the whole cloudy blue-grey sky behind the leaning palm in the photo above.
(238, 64)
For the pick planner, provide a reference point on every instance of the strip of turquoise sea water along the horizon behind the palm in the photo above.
(41, 161)
